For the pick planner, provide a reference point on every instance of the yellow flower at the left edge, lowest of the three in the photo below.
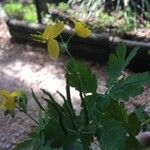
(7, 99)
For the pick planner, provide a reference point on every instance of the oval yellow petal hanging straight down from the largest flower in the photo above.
(53, 48)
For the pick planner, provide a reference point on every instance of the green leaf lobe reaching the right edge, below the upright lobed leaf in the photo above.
(130, 86)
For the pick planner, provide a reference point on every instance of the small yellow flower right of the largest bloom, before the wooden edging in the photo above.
(81, 29)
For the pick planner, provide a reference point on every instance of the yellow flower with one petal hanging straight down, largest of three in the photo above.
(48, 36)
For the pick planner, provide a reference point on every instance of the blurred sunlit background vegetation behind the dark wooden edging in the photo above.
(102, 15)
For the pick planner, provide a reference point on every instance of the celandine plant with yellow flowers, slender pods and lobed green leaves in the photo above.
(103, 118)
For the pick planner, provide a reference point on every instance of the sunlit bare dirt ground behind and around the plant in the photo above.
(25, 67)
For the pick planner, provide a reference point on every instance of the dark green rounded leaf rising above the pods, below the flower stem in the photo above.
(78, 73)
